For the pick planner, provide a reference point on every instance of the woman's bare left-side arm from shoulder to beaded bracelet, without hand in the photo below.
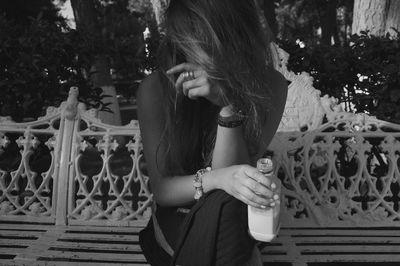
(173, 191)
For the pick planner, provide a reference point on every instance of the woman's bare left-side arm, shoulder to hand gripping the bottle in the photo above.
(239, 181)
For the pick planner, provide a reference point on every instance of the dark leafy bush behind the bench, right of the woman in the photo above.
(364, 74)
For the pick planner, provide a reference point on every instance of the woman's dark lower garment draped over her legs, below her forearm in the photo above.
(214, 232)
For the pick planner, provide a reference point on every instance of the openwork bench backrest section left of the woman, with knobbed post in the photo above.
(86, 172)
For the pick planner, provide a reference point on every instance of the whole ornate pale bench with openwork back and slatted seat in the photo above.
(74, 191)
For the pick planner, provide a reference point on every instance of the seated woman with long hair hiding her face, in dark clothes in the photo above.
(206, 116)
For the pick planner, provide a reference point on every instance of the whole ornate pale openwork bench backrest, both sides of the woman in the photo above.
(338, 168)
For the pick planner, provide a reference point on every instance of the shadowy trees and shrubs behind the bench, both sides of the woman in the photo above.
(350, 48)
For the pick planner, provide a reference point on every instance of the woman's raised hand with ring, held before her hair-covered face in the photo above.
(193, 81)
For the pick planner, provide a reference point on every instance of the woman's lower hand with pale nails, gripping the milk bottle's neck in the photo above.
(247, 184)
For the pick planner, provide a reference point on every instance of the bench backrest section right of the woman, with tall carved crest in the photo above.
(339, 169)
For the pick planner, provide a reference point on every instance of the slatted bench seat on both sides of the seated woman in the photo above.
(44, 244)
